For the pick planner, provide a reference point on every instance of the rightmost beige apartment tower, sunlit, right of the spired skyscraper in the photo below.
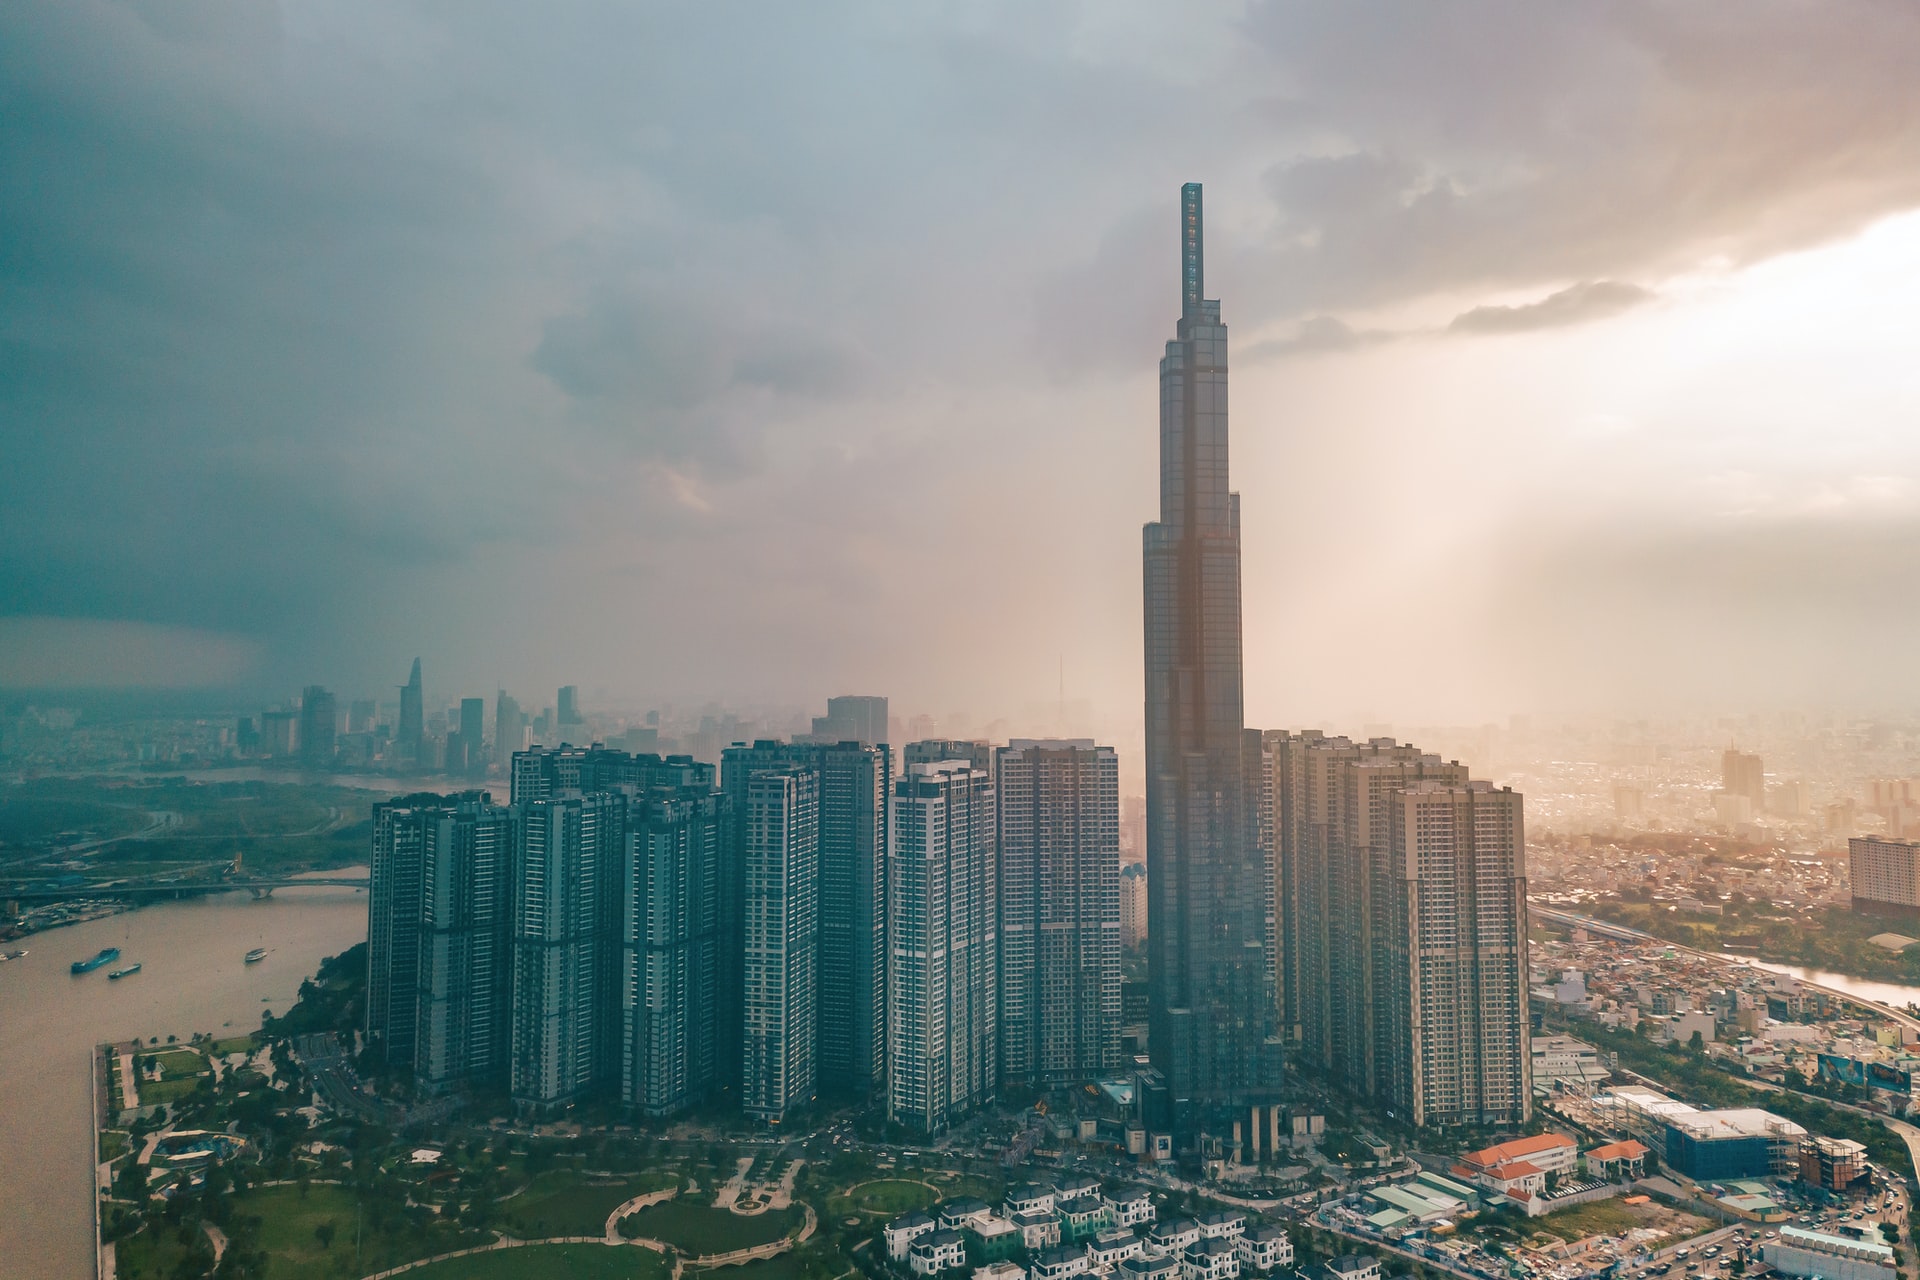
(1454, 959)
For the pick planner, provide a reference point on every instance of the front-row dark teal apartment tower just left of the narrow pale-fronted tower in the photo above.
(671, 951)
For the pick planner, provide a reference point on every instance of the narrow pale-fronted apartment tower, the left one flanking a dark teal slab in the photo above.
(780, 928)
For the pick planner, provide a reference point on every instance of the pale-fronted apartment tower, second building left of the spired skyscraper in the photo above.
(942, 964)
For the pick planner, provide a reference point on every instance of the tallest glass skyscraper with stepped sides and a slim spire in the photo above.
(1211, 1007)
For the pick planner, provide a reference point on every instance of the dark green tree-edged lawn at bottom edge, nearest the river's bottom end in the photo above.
(289, 1223)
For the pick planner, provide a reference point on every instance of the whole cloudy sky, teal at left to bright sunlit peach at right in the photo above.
(771, 352)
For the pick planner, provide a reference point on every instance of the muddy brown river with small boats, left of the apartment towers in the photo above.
(193, 980)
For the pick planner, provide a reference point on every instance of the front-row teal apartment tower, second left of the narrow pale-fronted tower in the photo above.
(562, 922)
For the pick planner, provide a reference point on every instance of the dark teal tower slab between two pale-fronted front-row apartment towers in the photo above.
(852, 1031)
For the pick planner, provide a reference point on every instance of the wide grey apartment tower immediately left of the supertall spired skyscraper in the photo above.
(1059, 847)
